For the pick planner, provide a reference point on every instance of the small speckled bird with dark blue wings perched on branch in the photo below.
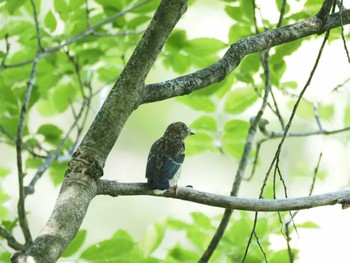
(166, 157)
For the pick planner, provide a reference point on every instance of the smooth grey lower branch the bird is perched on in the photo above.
(113, 188)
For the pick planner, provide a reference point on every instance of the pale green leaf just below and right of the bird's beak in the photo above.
(198, 143)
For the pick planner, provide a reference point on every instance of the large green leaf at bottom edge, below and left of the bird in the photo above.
(109, 250)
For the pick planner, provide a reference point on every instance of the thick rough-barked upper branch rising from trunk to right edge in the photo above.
(217, 72)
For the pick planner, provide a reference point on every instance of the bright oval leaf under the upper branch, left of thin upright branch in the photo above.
(240, 99)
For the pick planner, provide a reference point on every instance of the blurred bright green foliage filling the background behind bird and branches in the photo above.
(80, 55)
